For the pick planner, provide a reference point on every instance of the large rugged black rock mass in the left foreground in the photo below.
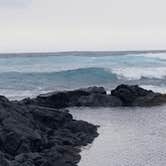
(37, 136)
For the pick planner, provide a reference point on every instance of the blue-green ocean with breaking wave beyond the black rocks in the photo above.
(27, 75)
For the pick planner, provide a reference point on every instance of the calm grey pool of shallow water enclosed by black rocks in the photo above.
(128, 136)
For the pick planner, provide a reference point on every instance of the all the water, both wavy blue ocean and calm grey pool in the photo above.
(127, 136)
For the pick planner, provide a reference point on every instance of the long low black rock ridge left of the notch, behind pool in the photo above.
(92, 96)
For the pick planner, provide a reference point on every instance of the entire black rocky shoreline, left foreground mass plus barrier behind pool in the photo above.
(41, 132)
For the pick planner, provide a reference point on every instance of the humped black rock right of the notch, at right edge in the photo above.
(133, 95)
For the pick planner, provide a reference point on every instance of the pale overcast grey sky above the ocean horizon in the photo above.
(82, 25)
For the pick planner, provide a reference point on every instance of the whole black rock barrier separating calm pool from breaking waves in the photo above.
(123, 95)
